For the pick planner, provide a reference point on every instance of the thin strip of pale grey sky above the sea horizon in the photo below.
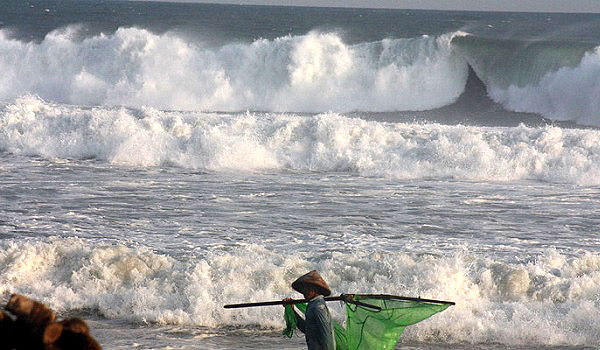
(475, 5)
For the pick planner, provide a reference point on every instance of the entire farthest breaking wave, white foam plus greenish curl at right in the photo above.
(316, 72)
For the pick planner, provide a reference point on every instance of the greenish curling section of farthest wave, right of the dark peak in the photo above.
(557, 80)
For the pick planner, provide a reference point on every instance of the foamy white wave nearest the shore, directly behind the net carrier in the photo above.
(550, 300)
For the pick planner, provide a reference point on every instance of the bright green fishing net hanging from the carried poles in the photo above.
(370, 329)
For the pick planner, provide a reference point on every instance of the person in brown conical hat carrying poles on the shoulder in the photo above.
(316, 326)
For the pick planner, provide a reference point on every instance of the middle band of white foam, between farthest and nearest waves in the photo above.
(321, 143)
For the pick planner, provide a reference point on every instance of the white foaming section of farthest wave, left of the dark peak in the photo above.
(310, 73)
